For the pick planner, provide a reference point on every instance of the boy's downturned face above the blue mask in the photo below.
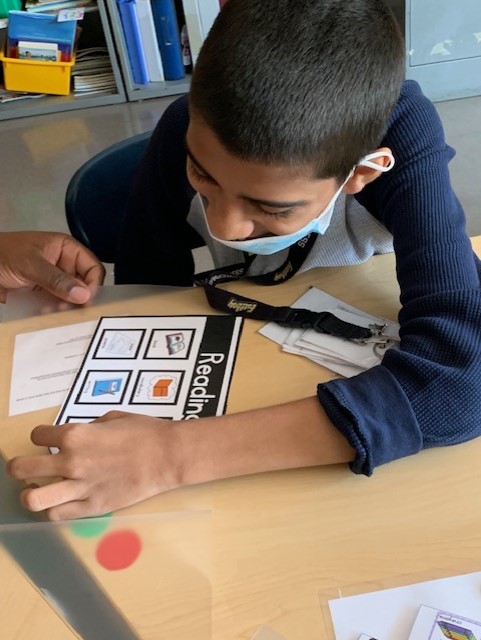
(247, 199)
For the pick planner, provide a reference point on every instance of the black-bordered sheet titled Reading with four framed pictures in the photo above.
(171, 367)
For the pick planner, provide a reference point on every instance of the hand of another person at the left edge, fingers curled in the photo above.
(54, 261)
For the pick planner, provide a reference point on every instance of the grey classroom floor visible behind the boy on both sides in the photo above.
(38, 155)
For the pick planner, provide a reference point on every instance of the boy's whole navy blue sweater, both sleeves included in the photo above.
(427, 393)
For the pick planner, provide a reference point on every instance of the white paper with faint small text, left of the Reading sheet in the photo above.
(45, 364)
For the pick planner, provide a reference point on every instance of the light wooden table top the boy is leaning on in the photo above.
(279, 541)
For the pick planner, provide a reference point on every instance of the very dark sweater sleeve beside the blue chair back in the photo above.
(156, 241)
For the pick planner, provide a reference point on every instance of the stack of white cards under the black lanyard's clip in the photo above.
(342, 356)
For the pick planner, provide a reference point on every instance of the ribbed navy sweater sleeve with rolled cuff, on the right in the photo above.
(428, 392)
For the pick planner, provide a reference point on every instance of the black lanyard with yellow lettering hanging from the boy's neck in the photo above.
(321, 322)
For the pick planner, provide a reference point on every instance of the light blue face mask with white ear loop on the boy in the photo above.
(272, 244)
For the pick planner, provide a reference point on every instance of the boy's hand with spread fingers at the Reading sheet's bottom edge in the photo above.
(110, 463)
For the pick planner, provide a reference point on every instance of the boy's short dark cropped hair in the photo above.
(300, 82)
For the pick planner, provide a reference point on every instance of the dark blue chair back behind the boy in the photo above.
(97, 193)
